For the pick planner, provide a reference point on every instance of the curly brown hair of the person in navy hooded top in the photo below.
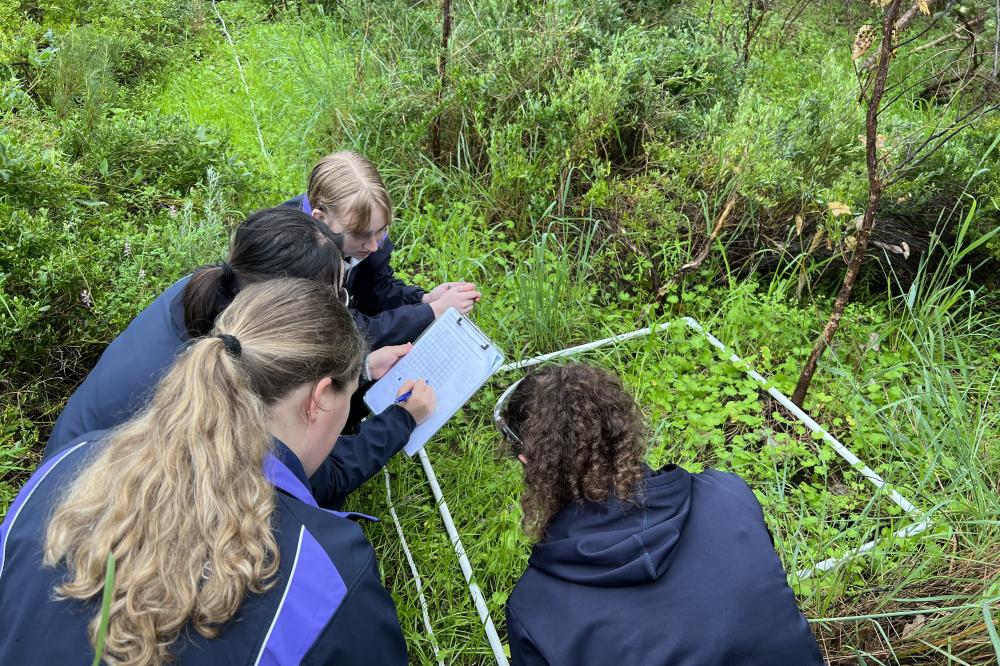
(583, 437)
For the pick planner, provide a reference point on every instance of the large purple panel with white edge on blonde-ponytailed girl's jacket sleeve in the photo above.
(314, 592)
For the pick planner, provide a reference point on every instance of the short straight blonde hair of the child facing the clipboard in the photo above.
(348, 186)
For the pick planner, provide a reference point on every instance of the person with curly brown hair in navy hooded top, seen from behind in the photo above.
(633, 565)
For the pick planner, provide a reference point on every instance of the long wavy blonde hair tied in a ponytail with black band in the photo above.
(178, 494)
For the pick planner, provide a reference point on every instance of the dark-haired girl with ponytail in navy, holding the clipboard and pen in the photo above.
(270, 243)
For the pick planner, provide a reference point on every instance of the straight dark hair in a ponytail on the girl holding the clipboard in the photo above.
(271, 243)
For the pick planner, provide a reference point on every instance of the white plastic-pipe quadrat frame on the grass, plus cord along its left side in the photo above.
(923, 522)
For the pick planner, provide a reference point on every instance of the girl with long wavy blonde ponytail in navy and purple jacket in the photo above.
(222, 554)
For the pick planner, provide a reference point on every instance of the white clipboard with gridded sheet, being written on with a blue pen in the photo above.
(455, 357)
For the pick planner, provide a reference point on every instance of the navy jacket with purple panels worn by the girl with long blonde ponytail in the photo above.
(327, 607)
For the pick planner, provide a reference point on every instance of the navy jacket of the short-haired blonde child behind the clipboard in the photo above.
(386, 310)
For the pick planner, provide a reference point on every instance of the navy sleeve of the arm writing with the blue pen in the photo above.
(357, 458)
